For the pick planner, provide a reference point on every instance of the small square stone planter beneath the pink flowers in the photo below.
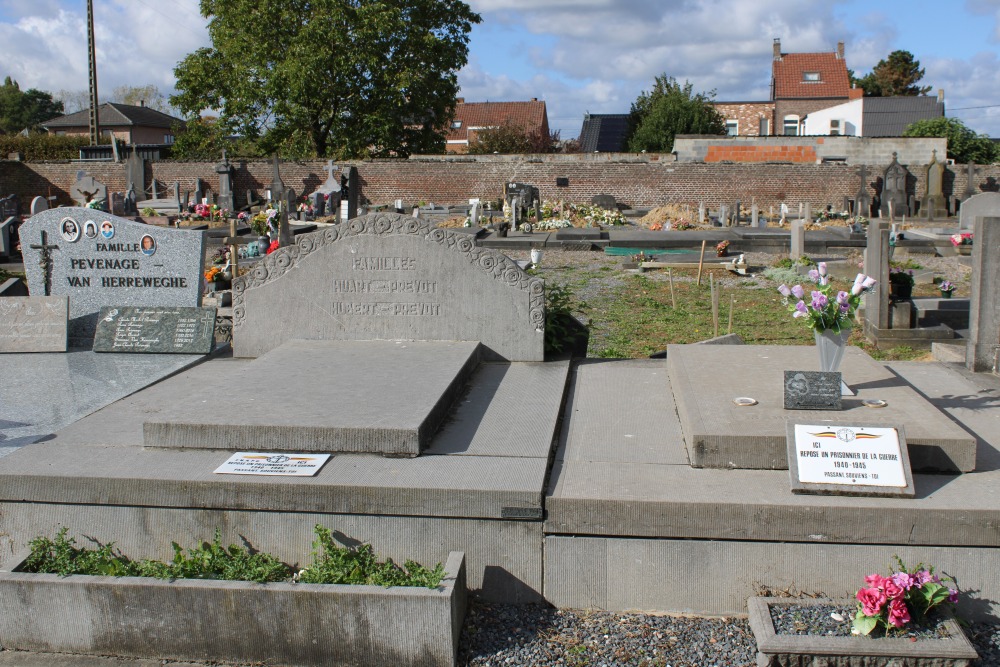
(814, 651)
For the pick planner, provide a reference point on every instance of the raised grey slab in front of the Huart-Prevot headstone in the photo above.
(328, 396)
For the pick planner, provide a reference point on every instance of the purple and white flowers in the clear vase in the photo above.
(827, 309)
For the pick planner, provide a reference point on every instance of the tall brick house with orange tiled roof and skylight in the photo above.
(801, 83)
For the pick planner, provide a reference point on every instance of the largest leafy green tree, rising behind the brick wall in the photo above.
(360, 78)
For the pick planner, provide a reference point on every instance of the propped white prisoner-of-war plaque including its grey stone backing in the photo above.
(849, 459)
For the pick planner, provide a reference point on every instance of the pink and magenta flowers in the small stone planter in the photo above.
(902, 597)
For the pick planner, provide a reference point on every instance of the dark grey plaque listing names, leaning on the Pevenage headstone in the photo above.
(152, 330)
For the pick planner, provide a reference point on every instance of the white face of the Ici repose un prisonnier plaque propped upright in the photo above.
(866, 456)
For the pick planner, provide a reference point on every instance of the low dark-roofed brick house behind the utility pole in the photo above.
(129, 123)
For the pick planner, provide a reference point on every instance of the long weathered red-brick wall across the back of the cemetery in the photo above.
(638, 180)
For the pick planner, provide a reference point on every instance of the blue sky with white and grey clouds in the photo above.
(578, 56)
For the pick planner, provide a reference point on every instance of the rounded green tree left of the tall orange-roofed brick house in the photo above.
(668, 110)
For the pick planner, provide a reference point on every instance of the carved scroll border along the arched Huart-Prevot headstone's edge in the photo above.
(490, 262)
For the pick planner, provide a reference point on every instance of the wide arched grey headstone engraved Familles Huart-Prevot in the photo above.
(386, 276)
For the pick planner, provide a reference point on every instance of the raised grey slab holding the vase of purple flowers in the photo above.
(719, 434)
